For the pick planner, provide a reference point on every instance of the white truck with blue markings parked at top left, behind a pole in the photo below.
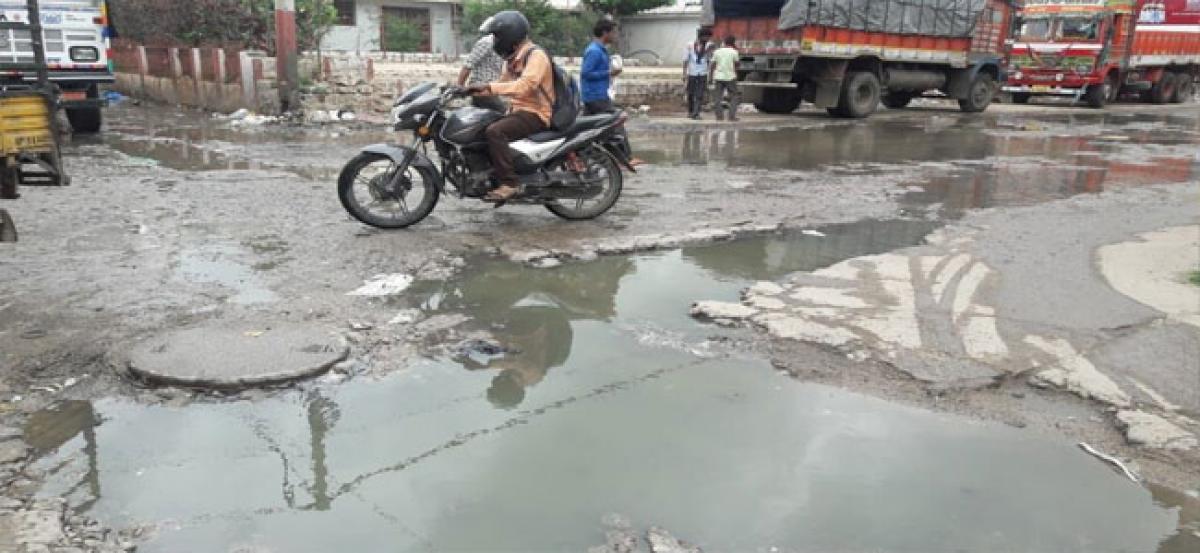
(77, 40)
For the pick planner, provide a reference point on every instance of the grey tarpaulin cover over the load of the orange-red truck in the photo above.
(956, 19)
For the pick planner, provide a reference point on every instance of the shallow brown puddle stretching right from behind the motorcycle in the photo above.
(959, 164)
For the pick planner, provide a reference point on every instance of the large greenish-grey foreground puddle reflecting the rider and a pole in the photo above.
(610, 401)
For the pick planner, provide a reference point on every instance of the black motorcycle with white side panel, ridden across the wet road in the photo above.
(575, 173)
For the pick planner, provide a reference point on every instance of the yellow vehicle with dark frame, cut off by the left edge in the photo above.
(29, 128)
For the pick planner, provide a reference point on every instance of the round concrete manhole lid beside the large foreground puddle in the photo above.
(237, 356)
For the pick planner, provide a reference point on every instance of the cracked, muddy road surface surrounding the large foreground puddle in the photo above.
(177, 221)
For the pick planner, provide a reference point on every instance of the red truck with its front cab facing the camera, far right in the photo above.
(1099, 51)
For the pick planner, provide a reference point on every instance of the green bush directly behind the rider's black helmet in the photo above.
(560, 33)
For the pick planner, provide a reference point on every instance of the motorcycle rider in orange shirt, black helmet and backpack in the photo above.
(529, 82)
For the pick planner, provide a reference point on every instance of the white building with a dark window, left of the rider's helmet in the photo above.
(362, 25)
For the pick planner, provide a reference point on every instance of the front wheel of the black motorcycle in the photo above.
(365, 193)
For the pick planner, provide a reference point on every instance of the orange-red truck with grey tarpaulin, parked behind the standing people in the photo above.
(851, 56)
